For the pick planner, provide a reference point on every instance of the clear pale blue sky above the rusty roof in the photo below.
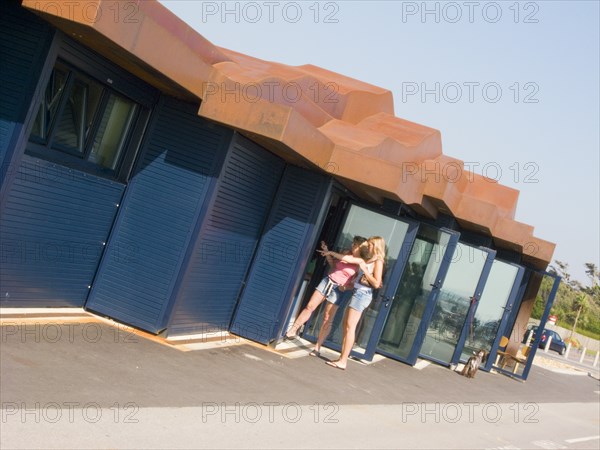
(512, 86)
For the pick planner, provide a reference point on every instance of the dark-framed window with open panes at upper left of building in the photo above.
(83, 123)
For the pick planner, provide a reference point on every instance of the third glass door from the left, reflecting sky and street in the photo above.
(458, 296)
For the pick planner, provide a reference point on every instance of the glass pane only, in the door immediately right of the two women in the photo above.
(411, 296)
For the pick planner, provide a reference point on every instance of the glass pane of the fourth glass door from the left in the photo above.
(484, 326)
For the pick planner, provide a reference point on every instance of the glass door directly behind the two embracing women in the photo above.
(399, 235)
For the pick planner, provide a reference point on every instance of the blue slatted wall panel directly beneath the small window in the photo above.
(54, 223)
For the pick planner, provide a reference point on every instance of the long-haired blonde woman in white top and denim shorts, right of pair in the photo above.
(368, 279)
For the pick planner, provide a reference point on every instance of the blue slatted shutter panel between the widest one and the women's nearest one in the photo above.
(227, 240)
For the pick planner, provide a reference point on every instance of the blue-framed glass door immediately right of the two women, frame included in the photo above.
(409, 307)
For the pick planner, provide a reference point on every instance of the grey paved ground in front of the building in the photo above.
(56, 373)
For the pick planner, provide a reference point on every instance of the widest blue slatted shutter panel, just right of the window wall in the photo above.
(162, 205)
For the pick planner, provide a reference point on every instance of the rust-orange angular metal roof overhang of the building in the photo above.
(307, 115)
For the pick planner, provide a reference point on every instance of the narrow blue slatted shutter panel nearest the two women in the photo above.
(287, 242)
